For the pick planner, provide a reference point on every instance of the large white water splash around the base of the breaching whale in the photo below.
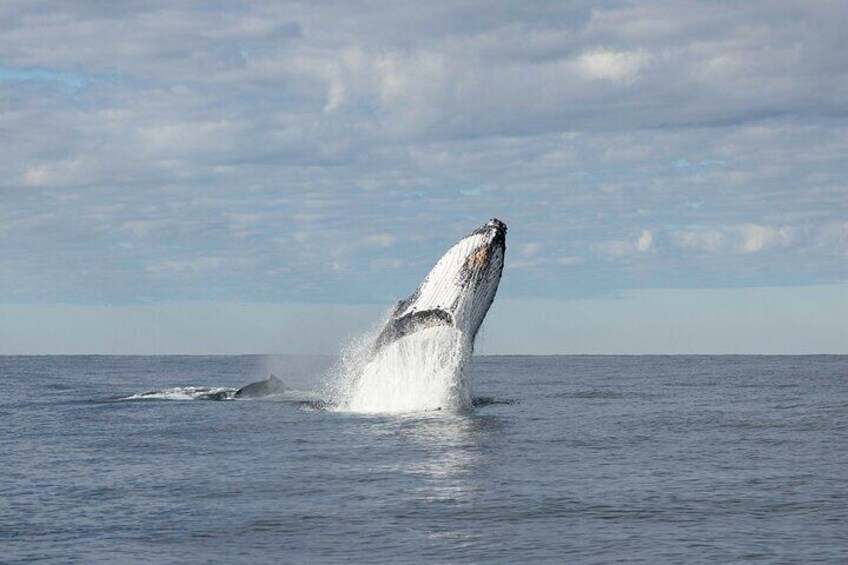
(426, 370)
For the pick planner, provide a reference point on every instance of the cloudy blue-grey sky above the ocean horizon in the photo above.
(218, 177)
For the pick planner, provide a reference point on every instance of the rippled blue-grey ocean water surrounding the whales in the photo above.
(574, 459)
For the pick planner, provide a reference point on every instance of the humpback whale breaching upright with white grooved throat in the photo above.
(457, 291)
